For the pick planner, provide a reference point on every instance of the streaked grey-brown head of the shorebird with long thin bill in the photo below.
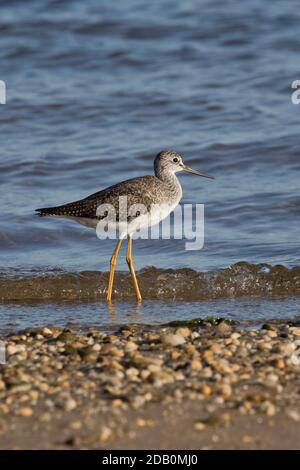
(171, 161)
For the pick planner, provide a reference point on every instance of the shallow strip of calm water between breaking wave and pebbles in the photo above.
(151, 312)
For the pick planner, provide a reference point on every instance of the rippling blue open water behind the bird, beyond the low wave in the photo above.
(96, 89)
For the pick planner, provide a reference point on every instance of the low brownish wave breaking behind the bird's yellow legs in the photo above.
(238, 280)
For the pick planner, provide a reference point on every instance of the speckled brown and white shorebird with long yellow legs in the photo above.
(152, 197)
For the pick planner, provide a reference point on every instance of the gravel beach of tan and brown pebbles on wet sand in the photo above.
(203, 384)
